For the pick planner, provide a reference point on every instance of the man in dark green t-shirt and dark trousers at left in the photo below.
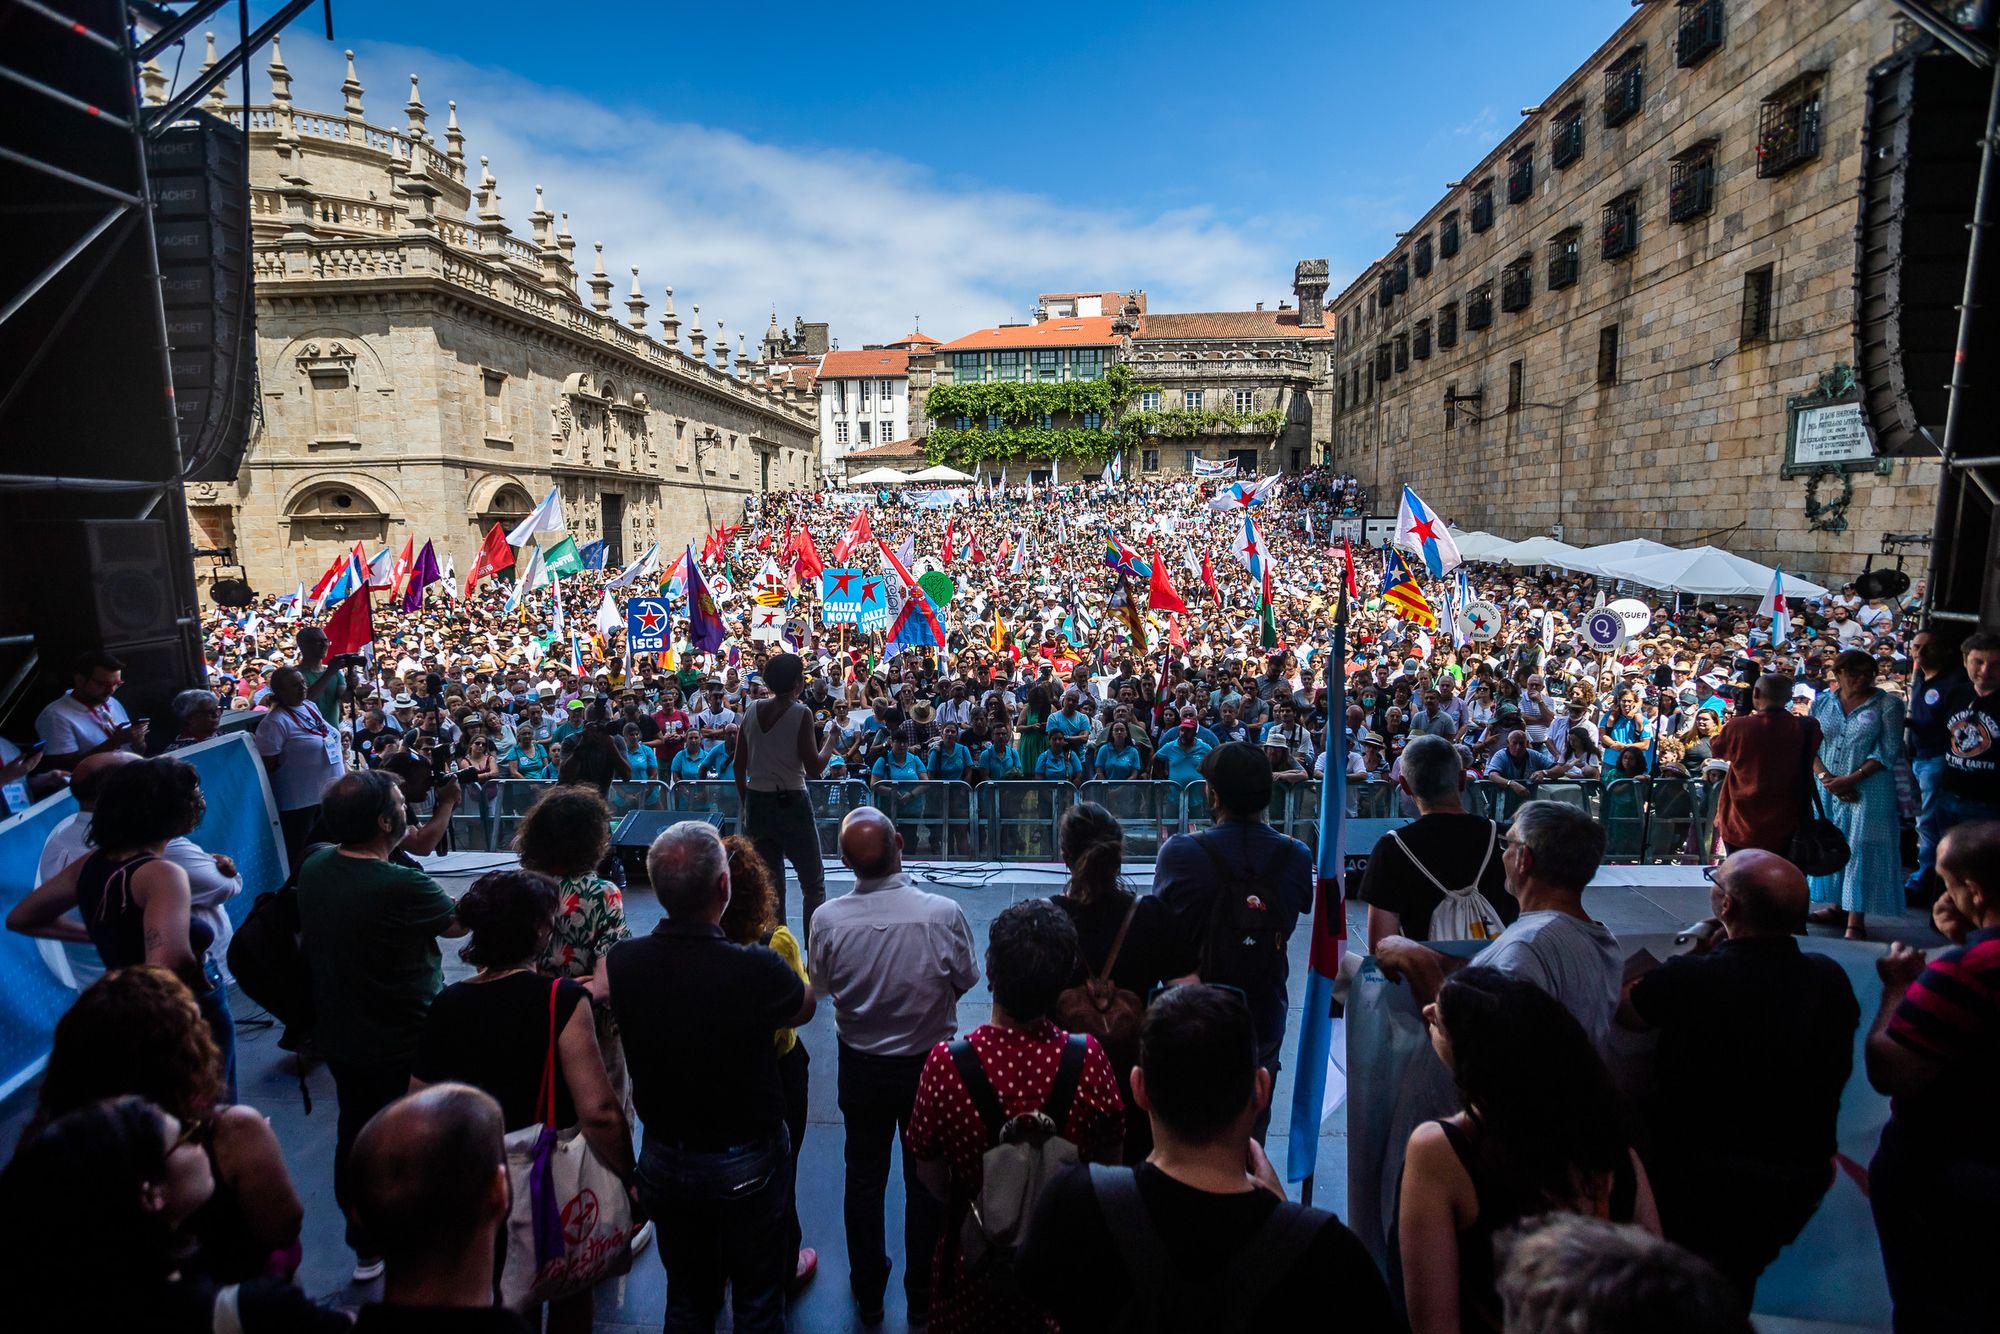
(371, 925)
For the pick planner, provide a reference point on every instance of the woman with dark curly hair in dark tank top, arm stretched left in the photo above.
(135, 905)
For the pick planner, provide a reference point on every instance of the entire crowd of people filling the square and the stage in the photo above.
(1093, 1155)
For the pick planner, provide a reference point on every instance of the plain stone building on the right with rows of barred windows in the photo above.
(1599, 329)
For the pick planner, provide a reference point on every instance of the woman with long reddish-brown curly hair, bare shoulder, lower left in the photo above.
(139, 1031)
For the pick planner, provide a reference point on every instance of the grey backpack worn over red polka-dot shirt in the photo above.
(1023, 1155)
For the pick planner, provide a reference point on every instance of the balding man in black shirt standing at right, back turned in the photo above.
(1757, 1041)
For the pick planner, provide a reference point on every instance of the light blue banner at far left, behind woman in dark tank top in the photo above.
(241, 823)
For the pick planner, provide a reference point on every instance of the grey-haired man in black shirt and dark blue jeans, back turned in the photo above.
(699, 1015)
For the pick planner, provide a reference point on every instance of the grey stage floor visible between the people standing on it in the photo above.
(1627, 899)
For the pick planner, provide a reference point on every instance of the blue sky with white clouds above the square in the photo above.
(867, 165)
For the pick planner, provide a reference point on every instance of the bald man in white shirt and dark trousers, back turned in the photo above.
(895, 961)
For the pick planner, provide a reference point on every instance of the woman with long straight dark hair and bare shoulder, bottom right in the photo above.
(1539, 1133)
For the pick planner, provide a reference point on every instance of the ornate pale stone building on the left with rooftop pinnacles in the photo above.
(425, 373)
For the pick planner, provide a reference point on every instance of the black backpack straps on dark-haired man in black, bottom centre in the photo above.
(1163, 1297)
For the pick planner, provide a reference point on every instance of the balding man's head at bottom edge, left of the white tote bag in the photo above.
(431, 1187)
